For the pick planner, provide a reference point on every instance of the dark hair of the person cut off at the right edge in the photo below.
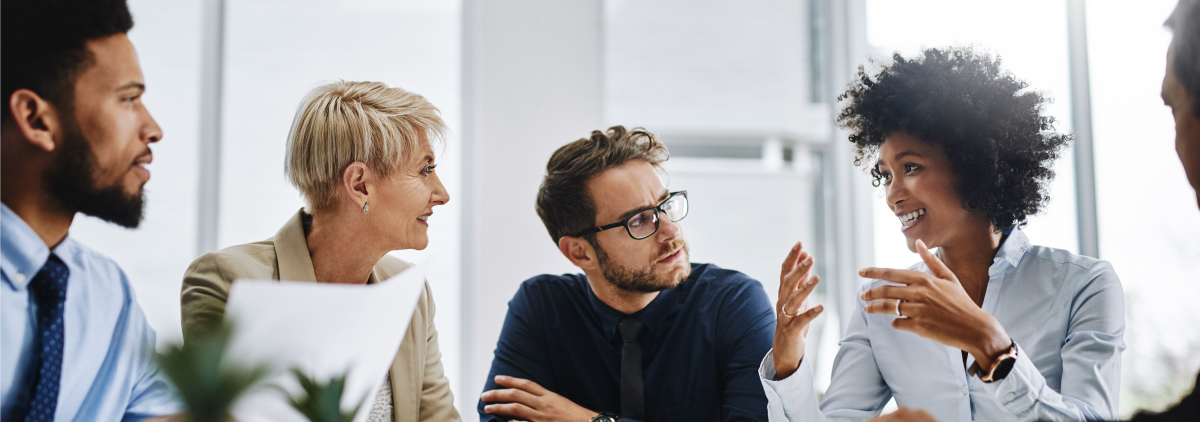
(1185, 22)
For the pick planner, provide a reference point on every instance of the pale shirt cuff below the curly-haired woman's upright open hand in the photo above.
(791, 399)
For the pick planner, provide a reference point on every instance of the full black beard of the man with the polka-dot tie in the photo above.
(71, 180)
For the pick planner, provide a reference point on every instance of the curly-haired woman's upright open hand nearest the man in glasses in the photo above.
(793, 311)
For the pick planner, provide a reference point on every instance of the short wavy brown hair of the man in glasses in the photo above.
(563, 201)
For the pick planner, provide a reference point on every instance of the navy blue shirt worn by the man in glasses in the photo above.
(703, 346)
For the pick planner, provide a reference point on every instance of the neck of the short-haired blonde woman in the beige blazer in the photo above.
(339, 251)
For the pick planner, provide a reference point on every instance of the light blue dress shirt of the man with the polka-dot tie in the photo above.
(109, 369)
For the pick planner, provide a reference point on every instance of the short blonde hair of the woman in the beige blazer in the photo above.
(347, 122)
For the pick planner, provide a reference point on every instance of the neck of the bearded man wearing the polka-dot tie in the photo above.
(26, 197)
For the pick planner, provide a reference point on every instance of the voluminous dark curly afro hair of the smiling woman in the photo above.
(995, 132)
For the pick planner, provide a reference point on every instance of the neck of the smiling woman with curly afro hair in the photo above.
(970, 260)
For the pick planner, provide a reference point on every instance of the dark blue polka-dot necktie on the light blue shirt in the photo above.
(50, 292)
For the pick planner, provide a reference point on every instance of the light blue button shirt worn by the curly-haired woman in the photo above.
(1065, 312)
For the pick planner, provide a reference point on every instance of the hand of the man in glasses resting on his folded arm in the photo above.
(527, 401)
